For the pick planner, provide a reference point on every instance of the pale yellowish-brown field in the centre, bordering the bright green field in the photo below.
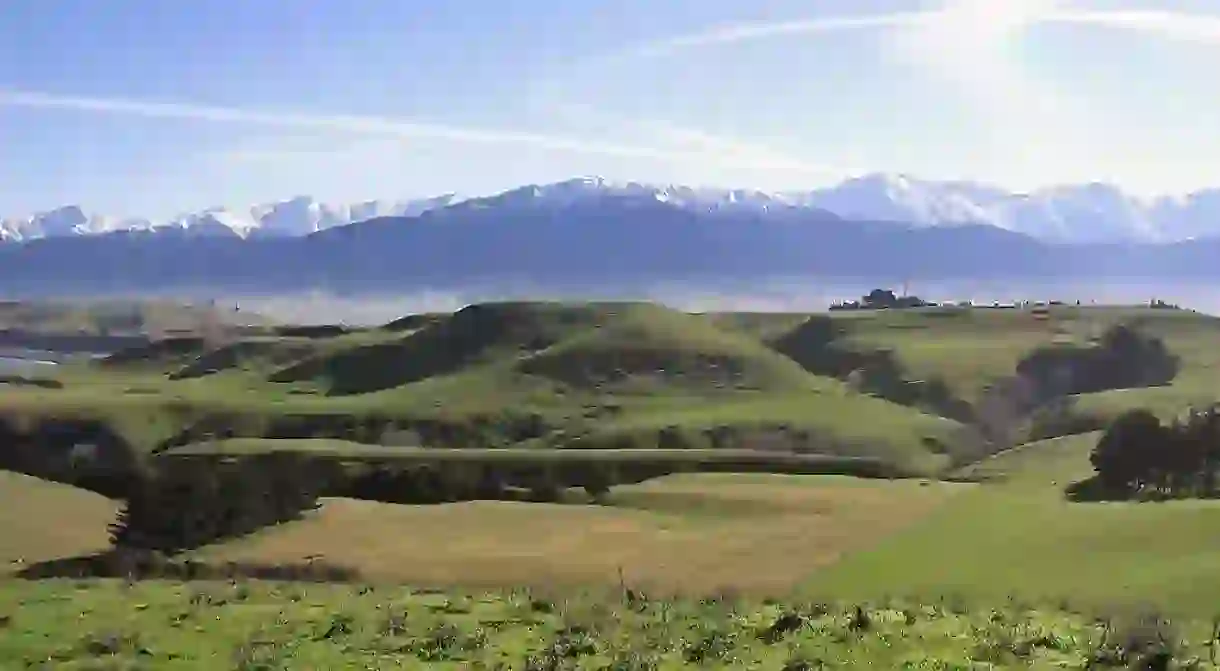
(687, 534)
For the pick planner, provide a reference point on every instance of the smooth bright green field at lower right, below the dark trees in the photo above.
(1022, 537)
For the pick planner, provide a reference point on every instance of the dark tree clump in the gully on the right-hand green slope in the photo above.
(1122, 359)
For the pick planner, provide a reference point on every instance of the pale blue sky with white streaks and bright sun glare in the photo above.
(147, 108)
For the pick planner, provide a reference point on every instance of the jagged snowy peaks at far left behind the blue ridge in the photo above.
(293, 218)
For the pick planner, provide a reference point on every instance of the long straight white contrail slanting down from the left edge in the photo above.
(361, 125)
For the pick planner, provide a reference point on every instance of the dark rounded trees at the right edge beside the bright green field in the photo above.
(1141, 457)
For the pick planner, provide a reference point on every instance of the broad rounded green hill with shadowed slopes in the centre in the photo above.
(607, 375)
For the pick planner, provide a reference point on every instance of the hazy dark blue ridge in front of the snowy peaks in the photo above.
(597, 237)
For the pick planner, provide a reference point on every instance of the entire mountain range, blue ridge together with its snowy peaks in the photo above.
(591, 234)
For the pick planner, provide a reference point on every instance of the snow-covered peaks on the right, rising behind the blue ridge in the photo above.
(1073, 214)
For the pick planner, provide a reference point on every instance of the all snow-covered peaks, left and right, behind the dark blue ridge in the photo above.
(1090, 213)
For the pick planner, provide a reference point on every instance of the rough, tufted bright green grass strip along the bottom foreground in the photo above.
(249, 626)
